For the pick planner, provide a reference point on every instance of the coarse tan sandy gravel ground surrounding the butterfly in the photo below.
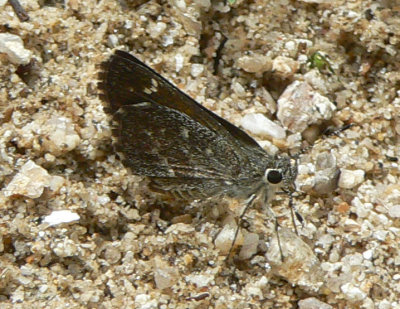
(127, 247)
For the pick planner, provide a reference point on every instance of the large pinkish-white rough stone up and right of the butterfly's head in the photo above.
(299, 106)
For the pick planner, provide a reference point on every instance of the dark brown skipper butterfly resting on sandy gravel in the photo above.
(183, 148)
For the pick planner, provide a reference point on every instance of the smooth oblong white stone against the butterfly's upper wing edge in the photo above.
(258, 124)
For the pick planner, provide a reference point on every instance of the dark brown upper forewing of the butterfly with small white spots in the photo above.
(125, 80)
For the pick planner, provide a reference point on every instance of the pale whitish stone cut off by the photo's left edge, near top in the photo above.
(13, 46)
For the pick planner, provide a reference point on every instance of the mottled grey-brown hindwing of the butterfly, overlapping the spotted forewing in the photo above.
(158, 141)
